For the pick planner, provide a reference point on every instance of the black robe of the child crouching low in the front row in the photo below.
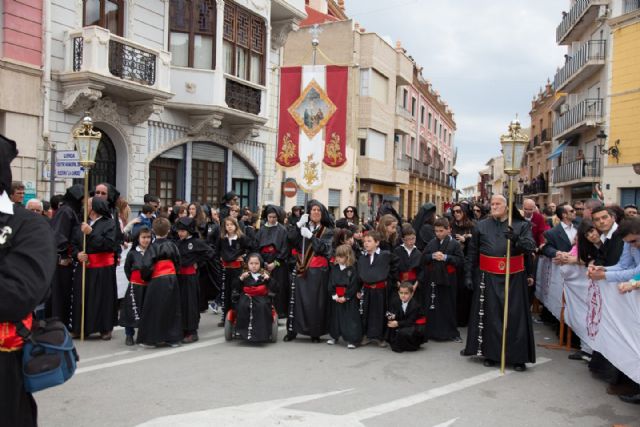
(407, 336)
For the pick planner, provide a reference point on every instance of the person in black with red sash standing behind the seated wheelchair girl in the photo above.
(271, 242)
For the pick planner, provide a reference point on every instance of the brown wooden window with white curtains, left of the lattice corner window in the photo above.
(192, 37)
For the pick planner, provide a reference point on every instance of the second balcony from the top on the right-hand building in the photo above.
(582, 65)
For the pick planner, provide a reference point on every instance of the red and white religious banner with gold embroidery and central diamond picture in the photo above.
(312, 125)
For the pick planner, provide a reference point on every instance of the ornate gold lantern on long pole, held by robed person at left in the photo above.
(86, 141)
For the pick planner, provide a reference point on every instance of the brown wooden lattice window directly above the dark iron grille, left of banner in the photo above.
(244, 44)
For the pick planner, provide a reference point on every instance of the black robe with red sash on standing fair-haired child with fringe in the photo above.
(344, 318)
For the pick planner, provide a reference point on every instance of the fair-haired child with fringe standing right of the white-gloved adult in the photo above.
(344, 318)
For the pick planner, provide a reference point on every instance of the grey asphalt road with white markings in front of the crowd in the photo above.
(215, 383)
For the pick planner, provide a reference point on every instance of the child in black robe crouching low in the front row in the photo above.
(404, 320)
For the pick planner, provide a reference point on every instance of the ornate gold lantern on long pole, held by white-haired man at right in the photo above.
(514, 144)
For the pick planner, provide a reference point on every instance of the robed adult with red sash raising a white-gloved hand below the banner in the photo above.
(313, 243)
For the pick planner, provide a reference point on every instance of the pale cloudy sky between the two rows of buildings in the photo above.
(486, 58)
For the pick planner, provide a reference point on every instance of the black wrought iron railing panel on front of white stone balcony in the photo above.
(130, 63)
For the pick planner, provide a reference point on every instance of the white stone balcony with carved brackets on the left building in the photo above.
(98, 63)
